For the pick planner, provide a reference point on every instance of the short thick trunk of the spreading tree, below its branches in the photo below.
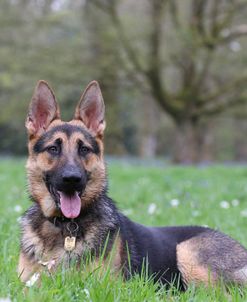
(193, 143)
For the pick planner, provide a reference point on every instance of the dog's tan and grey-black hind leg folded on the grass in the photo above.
(210, 257)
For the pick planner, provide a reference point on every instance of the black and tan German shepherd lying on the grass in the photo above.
(72, 215)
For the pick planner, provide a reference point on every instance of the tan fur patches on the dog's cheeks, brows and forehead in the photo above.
(38, 164)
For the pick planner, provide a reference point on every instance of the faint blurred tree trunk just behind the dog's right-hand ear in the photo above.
(103, 56)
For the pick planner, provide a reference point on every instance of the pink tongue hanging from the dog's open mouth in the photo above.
(70, 205)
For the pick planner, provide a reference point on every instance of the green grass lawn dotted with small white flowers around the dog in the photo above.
(200, 192)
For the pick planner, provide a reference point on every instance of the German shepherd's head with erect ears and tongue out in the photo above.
(65, 167)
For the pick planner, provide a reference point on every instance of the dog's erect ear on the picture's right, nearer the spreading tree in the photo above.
(91, 109)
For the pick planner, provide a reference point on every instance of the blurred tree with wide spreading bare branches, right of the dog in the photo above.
(181, 51)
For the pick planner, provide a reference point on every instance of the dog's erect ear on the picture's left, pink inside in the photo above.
(43, 109)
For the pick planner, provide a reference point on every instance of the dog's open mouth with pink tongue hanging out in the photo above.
(69, 203)
